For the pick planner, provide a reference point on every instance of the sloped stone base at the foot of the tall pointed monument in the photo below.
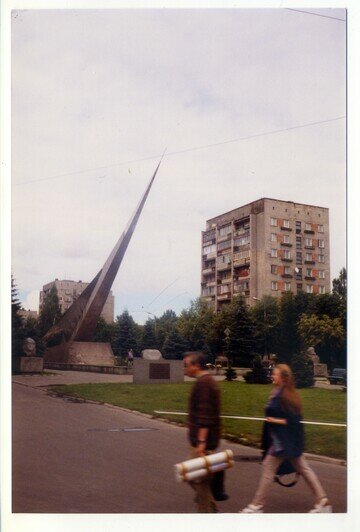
(91, 353)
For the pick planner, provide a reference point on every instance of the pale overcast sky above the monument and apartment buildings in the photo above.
(92, 90)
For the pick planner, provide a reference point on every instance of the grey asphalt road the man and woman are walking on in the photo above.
(71, 457)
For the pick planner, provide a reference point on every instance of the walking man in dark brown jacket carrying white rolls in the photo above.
(203, 423)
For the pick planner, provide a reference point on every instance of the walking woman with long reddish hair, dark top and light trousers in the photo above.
(283, 439)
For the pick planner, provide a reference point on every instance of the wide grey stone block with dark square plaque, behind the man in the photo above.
(160, 371)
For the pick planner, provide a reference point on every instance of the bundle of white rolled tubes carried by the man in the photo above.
(204, 465)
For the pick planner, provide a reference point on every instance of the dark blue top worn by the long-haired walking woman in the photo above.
(282, 440)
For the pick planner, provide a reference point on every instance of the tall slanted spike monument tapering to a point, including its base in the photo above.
(69, 341)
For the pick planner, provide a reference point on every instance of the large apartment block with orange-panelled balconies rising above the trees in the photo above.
(266, 247)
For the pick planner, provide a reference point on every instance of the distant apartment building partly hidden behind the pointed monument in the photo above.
(69, 291)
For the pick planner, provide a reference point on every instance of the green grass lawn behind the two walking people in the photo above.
(238, 399)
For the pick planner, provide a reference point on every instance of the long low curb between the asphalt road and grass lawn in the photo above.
(227, 437)
